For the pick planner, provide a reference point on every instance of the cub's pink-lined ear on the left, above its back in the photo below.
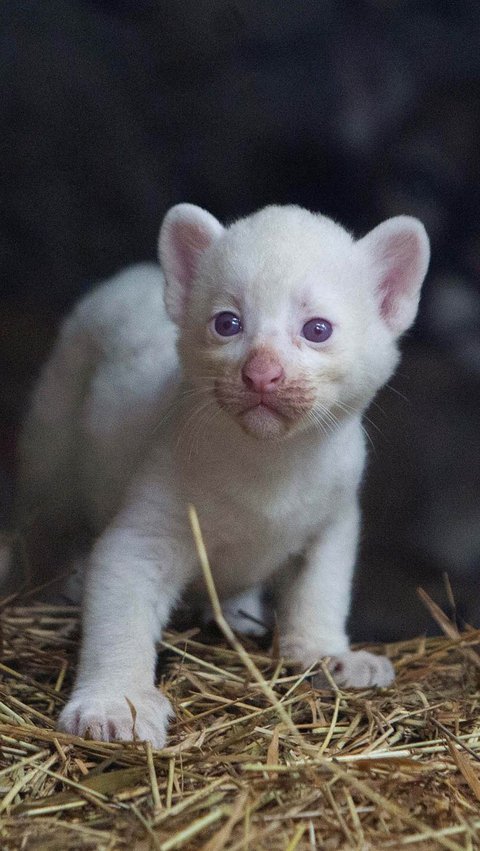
(185, 234)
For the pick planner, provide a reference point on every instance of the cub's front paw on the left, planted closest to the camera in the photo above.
(95, 714)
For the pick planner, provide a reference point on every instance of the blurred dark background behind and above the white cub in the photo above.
(113, 111)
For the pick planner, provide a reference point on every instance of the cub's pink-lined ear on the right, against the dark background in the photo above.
(399, 250)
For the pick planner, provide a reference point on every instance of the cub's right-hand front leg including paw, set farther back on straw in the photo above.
(314, 603)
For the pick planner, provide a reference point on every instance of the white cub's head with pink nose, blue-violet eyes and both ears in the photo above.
(286, 322)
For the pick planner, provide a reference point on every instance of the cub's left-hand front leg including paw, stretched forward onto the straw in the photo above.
(133, 580)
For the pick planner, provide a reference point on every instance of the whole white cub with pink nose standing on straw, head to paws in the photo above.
(285, 328)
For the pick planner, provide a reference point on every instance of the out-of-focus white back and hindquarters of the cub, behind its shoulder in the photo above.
(98, 398)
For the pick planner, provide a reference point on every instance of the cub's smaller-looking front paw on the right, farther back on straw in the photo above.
(360, 669)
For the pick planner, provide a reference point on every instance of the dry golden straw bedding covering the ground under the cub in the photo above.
(257, 758)
